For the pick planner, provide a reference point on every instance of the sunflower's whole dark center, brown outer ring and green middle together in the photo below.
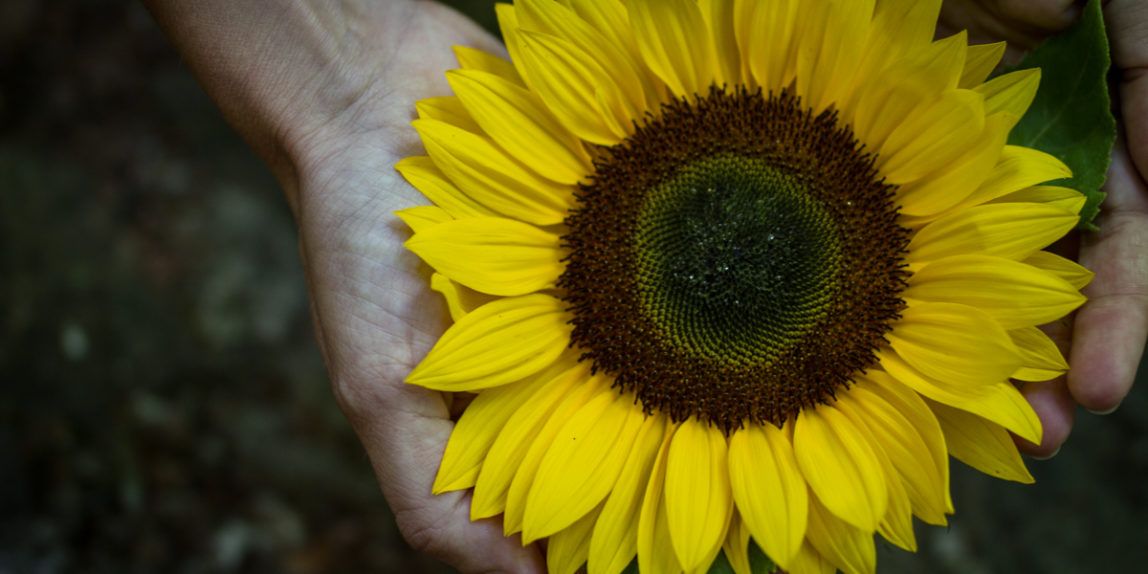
(735, 260)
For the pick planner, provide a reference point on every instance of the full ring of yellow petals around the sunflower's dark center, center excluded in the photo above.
(564, 455)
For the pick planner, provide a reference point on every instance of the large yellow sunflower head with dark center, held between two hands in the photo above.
(733, 270)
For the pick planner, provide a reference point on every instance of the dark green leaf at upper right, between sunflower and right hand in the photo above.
(1072, 117)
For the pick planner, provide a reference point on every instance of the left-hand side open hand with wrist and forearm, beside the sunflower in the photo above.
(324, 90)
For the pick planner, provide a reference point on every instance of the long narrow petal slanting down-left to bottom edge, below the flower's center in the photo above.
(616, 534)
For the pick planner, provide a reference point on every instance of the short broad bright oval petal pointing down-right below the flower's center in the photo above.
(841, 468)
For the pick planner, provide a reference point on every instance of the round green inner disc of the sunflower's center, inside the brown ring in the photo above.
(735, 260)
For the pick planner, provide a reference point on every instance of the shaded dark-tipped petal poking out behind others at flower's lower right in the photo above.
(981, 445)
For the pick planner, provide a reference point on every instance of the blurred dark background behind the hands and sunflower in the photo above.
(162, 405)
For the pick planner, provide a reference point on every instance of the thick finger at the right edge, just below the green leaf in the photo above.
(1112, 328)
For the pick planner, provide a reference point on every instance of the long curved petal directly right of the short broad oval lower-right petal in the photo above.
(907, 431)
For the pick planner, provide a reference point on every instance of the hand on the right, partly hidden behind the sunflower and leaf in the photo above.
(1106, 338)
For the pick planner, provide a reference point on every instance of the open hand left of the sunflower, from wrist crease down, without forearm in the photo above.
(373, 311)
